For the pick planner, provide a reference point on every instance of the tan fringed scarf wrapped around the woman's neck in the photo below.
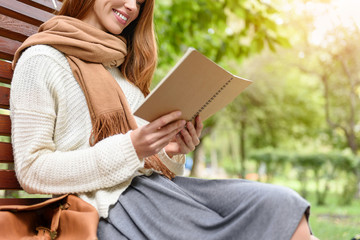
(89, 50)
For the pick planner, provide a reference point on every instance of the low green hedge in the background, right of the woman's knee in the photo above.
(320, 168)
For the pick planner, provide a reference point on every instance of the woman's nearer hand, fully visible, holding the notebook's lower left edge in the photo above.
(151, 138)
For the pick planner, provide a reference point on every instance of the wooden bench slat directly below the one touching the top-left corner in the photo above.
(16, 29)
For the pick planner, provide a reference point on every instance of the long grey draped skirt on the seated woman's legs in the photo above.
(195, 209)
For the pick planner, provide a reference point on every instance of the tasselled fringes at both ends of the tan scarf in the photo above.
(109, 124)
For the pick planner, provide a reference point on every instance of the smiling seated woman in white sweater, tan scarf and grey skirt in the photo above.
(73, 93)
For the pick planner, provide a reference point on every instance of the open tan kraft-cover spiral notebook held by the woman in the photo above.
(195, 86)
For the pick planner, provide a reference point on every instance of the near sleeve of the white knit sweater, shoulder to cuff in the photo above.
(41, 167)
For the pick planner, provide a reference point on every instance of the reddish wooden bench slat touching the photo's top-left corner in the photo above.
(24, 12)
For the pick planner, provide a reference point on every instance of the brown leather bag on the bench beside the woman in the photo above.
(62, 218)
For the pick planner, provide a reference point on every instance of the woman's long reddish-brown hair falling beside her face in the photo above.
(140, 62)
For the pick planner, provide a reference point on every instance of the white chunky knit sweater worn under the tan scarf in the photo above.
(51, 127)
